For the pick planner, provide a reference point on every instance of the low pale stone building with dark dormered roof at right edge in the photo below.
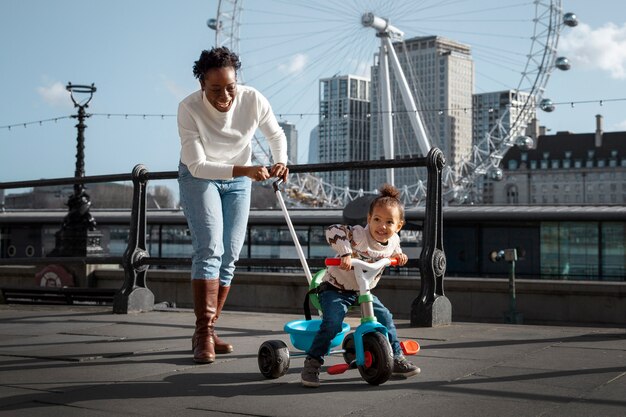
(564, 169)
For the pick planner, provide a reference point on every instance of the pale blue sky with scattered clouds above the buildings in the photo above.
(139, 55)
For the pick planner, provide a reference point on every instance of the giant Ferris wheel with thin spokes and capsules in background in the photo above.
(288, 46)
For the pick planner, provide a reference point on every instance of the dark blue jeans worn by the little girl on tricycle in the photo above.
(335, 306)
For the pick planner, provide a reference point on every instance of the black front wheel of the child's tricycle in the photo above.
(382, 359)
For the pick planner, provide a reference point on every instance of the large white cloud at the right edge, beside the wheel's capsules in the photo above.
(603, 48)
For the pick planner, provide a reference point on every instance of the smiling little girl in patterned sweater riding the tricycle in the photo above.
(339, 289)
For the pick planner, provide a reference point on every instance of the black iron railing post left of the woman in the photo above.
(134, 296)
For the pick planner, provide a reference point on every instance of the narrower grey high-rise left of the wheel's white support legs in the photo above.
(344, 133)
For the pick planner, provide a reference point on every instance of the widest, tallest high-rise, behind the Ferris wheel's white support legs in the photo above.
(440, 73)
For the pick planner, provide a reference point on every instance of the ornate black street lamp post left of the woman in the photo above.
(78, 235)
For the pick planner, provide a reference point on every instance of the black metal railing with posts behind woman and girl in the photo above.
(431, 307)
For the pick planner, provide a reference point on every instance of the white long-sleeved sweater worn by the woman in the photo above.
(213, 142)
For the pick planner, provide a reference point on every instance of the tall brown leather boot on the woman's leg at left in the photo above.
(204, 306)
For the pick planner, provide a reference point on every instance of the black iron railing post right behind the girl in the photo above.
(431, 307)
